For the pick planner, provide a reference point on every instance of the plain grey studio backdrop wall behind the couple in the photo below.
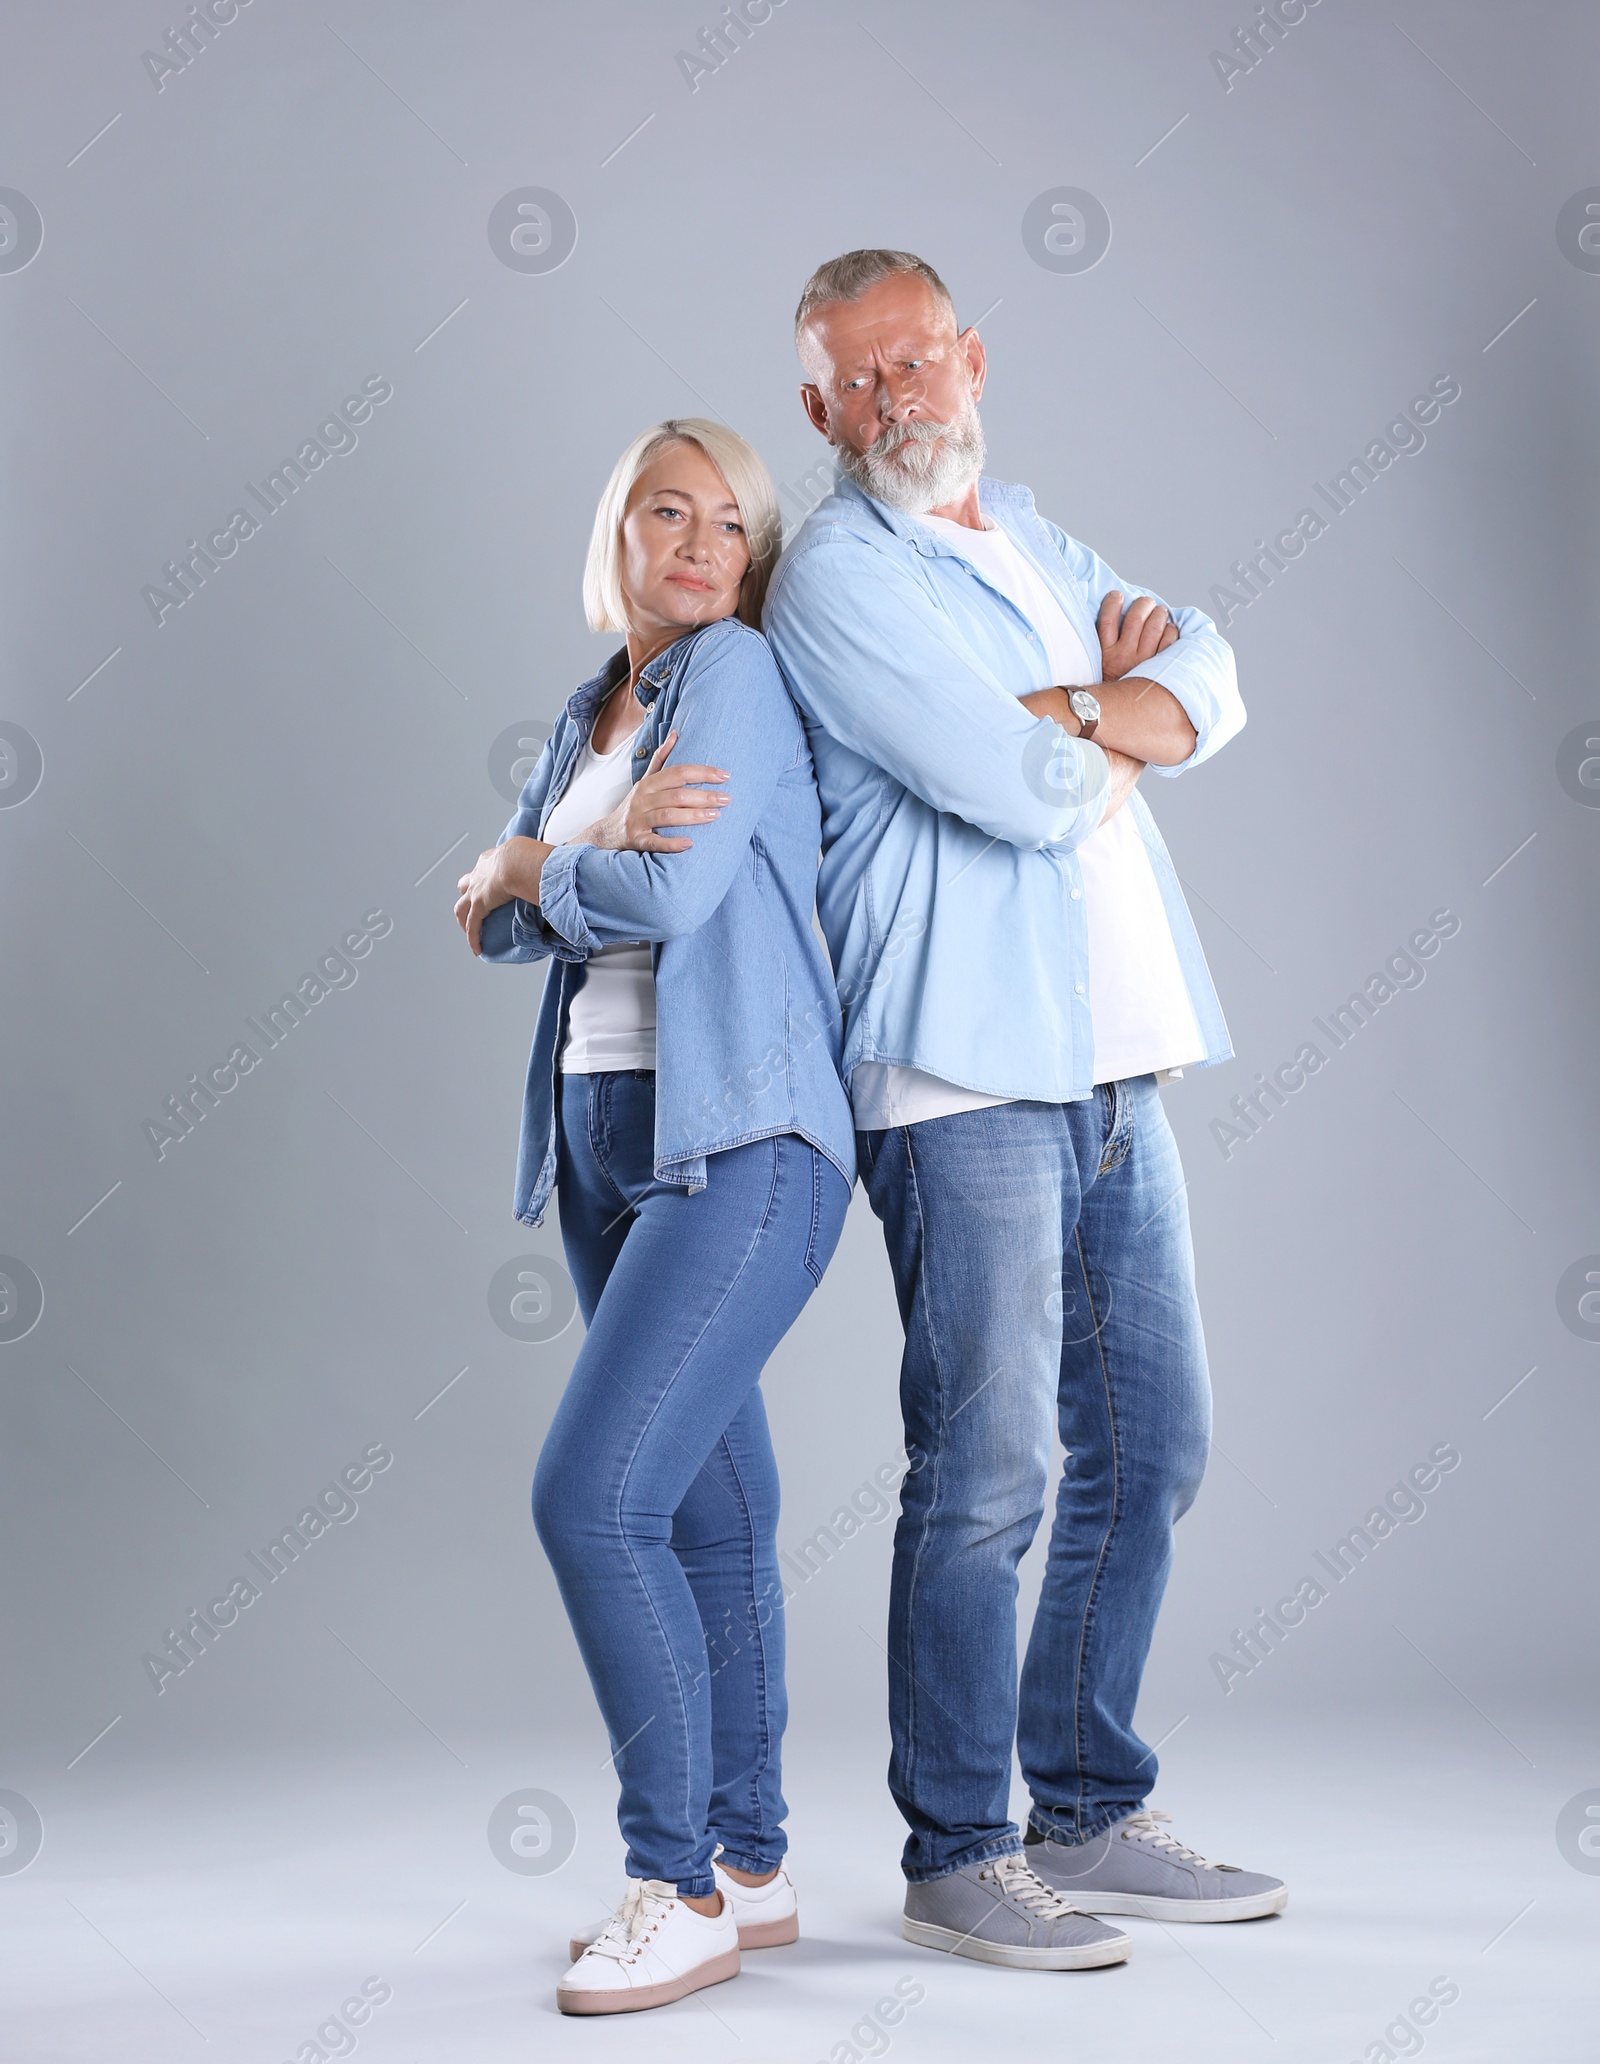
(307, 738)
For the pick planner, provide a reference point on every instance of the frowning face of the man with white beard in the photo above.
(895, 391)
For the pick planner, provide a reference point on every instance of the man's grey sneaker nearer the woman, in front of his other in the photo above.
(1002, 1912)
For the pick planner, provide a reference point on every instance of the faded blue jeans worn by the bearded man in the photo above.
(1044, 1266)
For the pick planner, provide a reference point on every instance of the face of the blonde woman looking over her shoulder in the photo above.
(682, 546)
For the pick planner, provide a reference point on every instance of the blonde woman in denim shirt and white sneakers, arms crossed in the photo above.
(686, 1109)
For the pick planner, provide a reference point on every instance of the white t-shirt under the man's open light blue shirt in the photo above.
(1143, 1017)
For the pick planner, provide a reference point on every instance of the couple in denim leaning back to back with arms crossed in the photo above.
(955, 703)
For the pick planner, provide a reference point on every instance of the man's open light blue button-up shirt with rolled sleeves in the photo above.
(951, 893)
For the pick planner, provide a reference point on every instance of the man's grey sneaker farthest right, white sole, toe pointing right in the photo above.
(1139, 1869)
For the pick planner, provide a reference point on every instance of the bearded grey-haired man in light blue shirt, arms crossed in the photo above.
(1019, 973)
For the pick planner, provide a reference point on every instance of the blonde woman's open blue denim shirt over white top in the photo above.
(748, 1019)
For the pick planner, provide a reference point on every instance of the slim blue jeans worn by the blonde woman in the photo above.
(658, 1493)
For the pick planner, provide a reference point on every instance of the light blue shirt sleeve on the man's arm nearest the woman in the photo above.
(881, 670)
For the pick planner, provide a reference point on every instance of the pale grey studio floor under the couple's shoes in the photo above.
(232, 1910)
